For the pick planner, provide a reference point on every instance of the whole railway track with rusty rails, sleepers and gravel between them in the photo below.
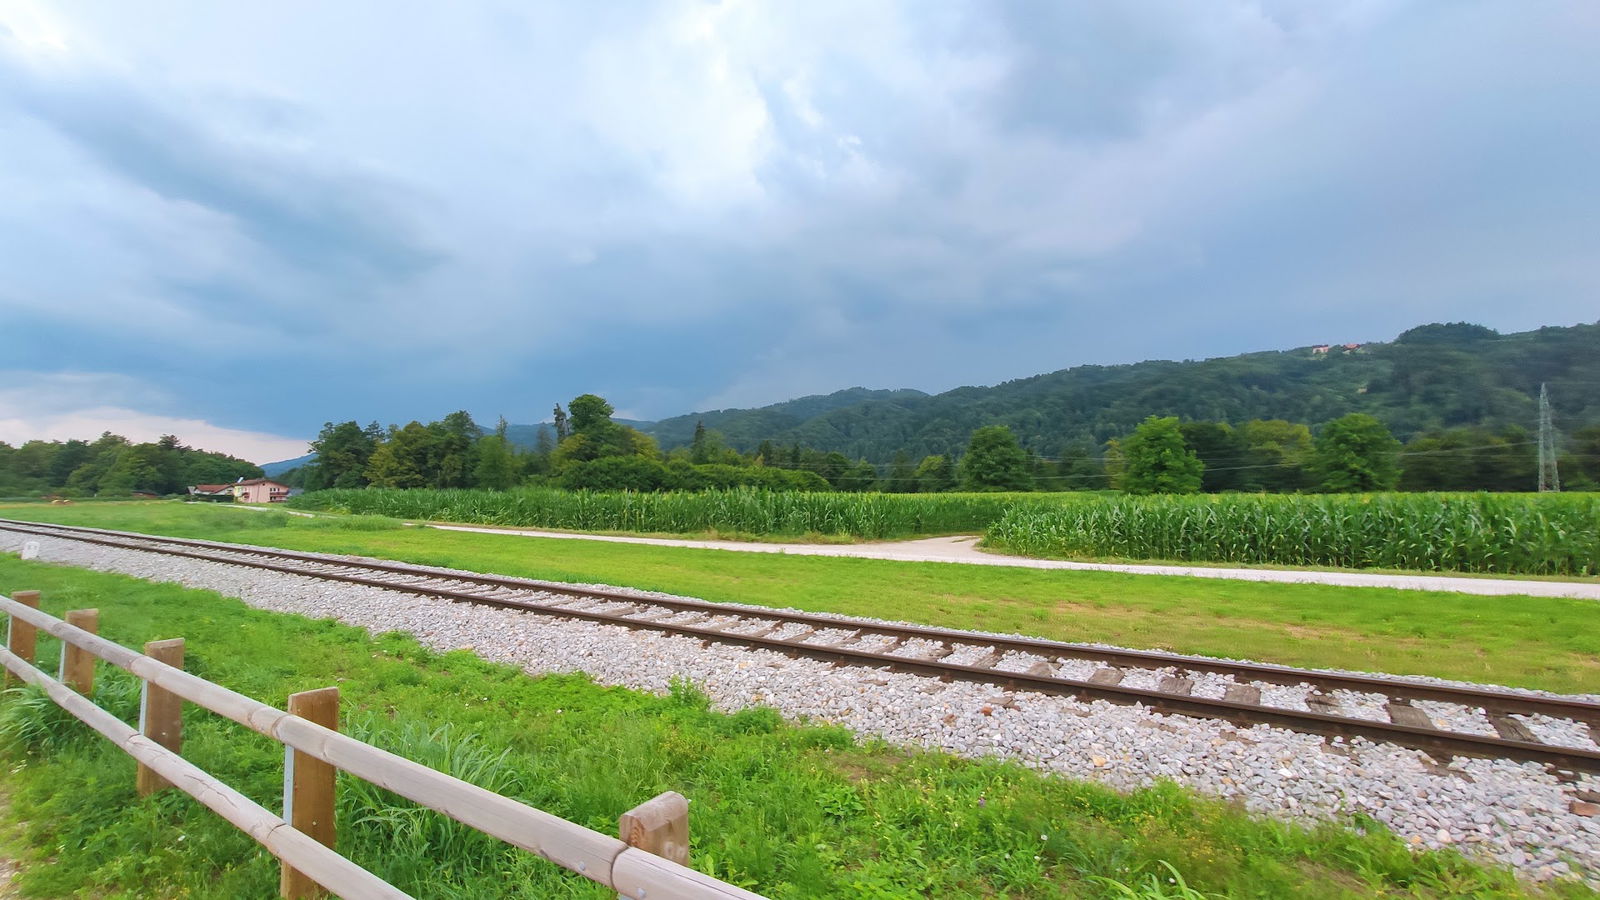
(1442, 720)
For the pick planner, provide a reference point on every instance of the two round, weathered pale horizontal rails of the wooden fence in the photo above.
(614, 862)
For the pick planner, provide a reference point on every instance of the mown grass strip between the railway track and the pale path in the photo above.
(1521, 641)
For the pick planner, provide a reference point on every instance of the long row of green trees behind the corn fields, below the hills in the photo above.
(586, 449)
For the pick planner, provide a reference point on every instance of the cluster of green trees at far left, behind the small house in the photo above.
(114, 467)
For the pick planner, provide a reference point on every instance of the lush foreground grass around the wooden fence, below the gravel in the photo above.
(791, 811)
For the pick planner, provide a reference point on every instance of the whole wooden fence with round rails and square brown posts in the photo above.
(646, 862)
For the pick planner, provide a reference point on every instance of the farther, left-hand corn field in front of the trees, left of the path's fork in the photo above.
(873, 516)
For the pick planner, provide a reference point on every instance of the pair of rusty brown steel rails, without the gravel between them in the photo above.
(1439, 742)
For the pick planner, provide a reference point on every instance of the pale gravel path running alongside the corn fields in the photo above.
(964, 550)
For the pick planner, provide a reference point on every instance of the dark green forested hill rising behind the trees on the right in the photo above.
(1430, 377)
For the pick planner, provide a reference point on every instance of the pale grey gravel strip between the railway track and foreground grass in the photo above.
(1518, 814)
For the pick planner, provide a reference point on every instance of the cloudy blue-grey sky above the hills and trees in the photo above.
(239, 222)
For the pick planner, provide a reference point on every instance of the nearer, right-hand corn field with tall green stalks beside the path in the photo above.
(1554, 534)
